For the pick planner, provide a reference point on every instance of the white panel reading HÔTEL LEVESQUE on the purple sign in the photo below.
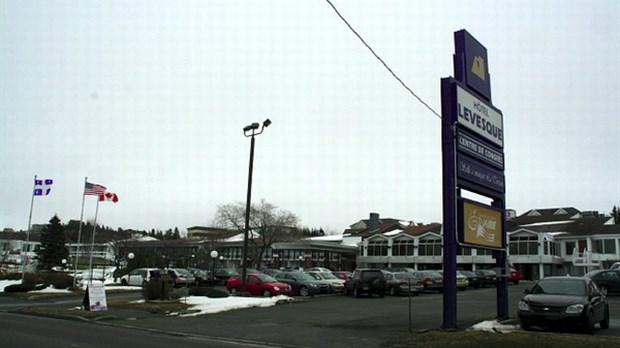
(479, 117)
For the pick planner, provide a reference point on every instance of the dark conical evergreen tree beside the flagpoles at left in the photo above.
(53, 249)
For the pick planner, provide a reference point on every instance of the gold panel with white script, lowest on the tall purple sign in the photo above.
(481, 225)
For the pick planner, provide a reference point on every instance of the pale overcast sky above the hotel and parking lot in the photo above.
(149, 98)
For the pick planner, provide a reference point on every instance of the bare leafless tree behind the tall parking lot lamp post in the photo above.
(268, 224)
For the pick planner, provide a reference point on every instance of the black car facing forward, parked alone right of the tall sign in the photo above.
(564, 301)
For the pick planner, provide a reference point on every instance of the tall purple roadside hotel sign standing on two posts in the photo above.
(473, 160)
